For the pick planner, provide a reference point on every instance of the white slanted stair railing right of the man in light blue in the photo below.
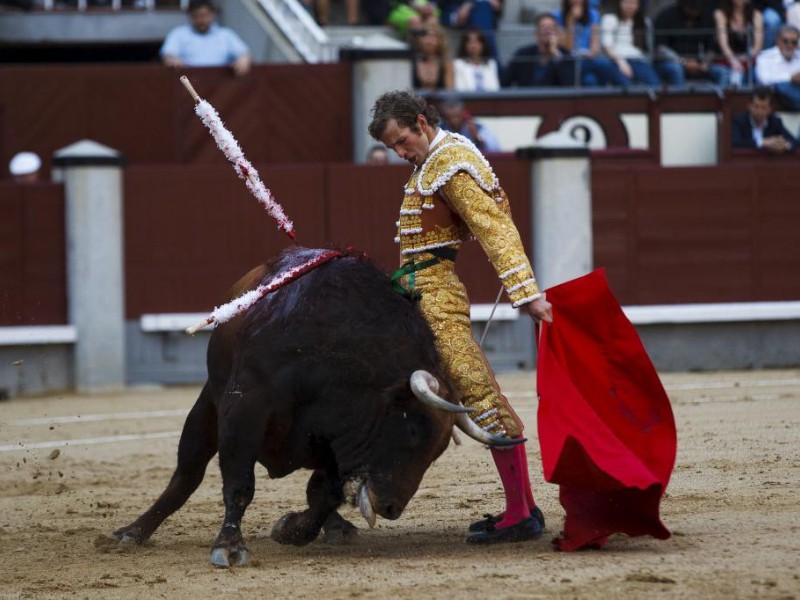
(301, 30)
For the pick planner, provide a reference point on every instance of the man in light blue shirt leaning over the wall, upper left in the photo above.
(204, 43)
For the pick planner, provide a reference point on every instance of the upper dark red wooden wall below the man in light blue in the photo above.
(279, 113)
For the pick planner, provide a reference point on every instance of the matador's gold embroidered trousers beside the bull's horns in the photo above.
(445, 305)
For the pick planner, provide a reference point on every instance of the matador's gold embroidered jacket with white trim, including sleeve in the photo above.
(454, 197)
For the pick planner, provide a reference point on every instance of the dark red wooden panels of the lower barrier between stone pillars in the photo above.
(705, 234)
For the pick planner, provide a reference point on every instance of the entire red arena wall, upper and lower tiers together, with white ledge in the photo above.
(669, 238)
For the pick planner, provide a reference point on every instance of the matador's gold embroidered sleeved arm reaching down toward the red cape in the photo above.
(497, 234)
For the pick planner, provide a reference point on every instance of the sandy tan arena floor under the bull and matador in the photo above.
(73, 468)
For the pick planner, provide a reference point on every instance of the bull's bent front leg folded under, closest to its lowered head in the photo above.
(324, 495)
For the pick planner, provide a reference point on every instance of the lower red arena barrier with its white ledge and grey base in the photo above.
(680, 237)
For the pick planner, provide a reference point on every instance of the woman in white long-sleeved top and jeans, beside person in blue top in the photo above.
(624, 39)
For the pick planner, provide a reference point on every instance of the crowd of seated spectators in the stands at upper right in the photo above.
(721, 42)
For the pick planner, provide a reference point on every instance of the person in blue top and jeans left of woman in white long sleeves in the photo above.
(580, 34)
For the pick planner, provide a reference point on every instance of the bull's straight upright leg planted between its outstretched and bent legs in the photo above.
(240, 438)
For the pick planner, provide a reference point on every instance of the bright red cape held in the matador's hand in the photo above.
(606, 428)
